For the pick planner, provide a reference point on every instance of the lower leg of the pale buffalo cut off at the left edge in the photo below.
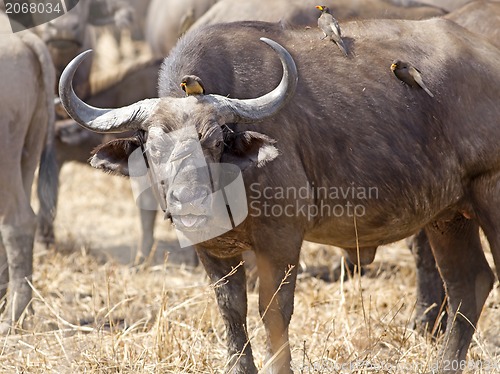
(18, 243)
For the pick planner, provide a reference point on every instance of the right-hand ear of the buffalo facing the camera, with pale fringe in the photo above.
(248, 148)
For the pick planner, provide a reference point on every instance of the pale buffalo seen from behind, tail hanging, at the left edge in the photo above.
(26, 141)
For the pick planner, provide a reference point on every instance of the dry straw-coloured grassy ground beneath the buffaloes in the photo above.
(95, 313)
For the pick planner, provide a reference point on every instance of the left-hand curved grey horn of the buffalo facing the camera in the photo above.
(100, 120)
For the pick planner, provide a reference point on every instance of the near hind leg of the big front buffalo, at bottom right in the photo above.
(468, 280)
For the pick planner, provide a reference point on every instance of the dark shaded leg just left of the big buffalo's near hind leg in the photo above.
(430, 290)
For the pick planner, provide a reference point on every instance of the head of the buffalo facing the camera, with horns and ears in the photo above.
(179, 137)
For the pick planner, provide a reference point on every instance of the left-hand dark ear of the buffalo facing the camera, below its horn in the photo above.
(113, 156)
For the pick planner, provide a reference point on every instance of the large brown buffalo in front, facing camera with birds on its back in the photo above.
(335, 125)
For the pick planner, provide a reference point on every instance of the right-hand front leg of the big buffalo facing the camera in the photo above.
(277, 269)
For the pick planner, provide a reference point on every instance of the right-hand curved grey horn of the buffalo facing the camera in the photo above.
(258, 109)
